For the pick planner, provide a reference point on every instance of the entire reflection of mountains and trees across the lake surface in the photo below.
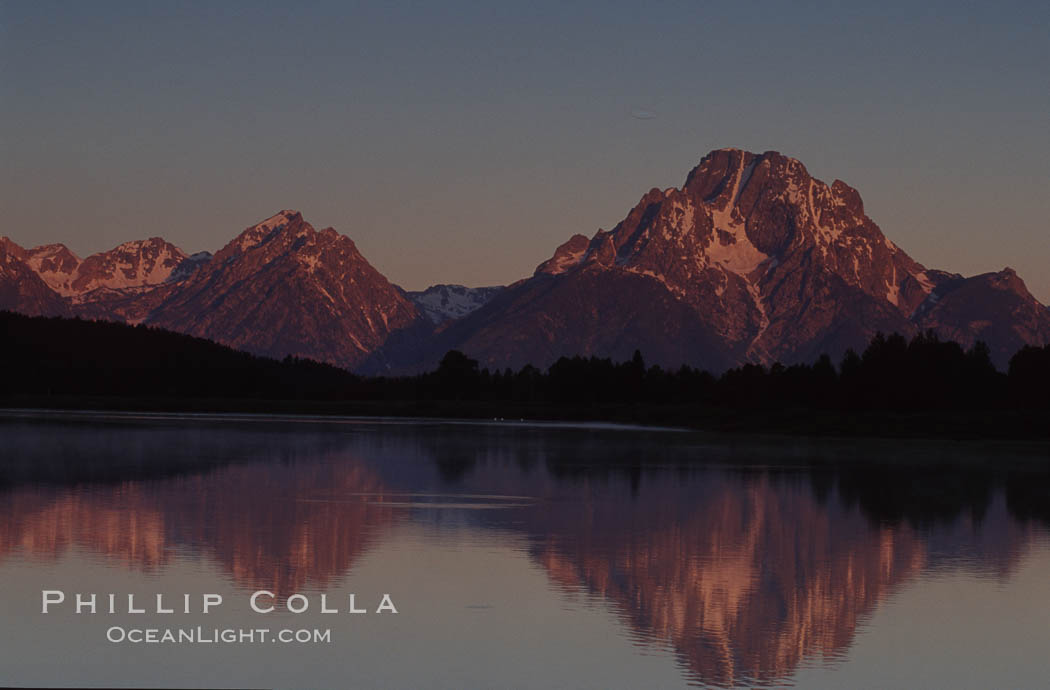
(744, 574)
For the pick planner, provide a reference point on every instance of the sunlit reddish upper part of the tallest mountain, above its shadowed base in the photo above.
(743, 214)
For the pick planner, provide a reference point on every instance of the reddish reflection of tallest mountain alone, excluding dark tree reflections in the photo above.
(745, 582)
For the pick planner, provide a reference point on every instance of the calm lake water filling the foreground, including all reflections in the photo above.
(520, 556)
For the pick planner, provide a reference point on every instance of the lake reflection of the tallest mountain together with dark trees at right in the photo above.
(748, 574)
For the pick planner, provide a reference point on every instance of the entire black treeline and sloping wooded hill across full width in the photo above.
(73, 358)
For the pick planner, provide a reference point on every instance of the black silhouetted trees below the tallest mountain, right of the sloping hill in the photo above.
(893, 373)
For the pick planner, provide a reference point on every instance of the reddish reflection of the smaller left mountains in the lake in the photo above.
(289, 515)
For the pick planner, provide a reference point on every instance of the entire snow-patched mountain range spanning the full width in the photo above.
(751, 260)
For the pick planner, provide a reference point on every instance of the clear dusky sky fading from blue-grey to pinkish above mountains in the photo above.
(463, 142)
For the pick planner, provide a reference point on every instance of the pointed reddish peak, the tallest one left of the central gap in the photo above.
(282, 288)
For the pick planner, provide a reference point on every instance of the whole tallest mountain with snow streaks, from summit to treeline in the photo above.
(751, 260)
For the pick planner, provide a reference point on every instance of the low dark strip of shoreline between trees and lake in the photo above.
(1031, 426)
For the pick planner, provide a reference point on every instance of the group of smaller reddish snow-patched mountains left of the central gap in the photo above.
(280, 288)
